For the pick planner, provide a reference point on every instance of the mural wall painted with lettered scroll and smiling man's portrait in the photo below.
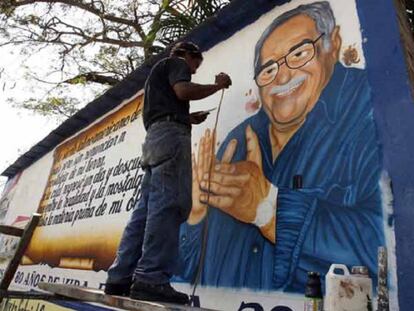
(328, 115)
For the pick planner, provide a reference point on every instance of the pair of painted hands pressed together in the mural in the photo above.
(235, 188)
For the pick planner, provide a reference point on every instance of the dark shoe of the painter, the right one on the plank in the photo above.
(157, 292)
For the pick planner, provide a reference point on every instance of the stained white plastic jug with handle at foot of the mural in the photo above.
(347, 292)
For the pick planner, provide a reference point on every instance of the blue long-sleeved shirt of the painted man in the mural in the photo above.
(335, 218)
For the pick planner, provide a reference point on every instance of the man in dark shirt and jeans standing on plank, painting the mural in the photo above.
(148, 251)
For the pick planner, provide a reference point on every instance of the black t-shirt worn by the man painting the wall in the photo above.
(160, 99)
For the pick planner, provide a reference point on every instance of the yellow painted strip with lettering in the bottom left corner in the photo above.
(29, 305)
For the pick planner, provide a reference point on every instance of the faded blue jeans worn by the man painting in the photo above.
(149, 246)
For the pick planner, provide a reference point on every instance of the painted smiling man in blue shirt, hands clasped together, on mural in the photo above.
(316, 121)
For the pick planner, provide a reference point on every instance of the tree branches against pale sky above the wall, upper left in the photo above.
(91, 42)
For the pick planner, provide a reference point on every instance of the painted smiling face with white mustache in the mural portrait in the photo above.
(294, 92)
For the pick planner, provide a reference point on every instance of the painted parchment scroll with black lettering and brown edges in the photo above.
(93, 185)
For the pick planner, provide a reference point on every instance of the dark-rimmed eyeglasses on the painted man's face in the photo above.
(299, 55)
